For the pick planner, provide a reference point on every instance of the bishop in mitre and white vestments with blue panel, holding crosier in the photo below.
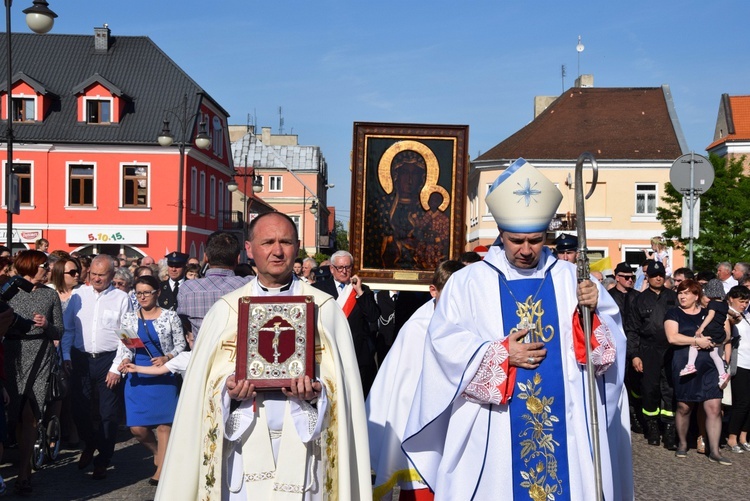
(501, 408)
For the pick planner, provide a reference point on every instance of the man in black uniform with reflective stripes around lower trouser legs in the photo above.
(651, 355)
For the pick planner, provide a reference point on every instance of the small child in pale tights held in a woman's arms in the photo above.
(716, 327)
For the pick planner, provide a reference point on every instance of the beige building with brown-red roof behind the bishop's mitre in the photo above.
(635, 136)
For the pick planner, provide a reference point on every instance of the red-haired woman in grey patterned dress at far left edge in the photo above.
(30, 356)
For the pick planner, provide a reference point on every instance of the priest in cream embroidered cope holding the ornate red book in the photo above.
(306, 442)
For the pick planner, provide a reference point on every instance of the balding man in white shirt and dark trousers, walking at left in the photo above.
(89, 349)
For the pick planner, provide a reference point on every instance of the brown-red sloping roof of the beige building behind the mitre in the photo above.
(611, 123)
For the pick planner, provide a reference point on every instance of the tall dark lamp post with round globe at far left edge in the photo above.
(40, 19)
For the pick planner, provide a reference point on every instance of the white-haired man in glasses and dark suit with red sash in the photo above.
(360, 308)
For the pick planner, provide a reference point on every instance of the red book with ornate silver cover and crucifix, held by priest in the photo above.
(275, 340)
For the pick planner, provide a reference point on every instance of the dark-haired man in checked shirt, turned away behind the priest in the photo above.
(197, 296)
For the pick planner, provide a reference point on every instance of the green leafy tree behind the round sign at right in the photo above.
(724, 229)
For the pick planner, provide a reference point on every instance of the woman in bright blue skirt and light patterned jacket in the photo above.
(151, 401)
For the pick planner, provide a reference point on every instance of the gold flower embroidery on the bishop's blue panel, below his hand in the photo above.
(538, 444)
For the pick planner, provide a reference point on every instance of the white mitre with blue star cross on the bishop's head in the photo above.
(522, 199)
